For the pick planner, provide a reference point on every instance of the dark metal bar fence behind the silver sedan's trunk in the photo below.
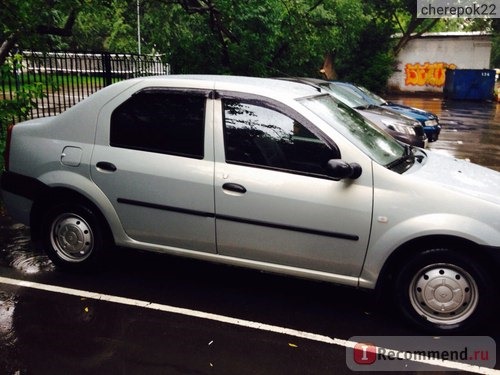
(66, 78)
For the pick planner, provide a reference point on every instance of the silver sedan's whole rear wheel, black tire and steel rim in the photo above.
(74, 237)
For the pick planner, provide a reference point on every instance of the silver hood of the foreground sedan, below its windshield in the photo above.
(461, 176)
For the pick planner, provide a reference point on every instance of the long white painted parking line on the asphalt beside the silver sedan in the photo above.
(228, 320)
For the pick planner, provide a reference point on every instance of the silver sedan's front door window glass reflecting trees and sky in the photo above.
(264, 137)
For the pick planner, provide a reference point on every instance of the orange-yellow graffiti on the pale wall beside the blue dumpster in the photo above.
(428, 74)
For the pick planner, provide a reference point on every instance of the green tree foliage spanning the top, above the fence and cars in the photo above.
(253, 37)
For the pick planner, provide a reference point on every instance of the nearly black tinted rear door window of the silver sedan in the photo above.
(165, 122)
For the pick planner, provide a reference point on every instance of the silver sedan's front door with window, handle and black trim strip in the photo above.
(274, 200)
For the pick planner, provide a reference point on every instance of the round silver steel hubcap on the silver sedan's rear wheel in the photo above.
(71, 237)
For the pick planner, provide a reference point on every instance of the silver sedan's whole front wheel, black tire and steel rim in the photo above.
(443, 291)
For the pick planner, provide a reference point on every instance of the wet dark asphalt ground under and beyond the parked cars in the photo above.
(54, 332)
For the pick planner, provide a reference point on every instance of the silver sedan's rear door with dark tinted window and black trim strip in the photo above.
(153, 160)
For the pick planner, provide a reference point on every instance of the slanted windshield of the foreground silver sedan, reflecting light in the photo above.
(378, 145)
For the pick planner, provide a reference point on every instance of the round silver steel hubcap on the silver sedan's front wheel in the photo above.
(444, 294)
